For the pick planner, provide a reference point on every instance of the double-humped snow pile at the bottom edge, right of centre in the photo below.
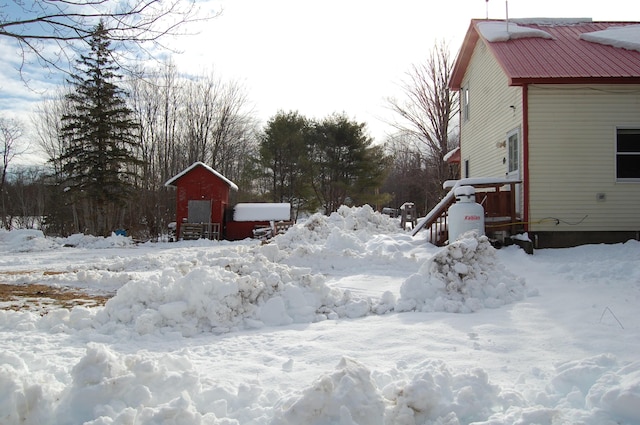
(436, 395)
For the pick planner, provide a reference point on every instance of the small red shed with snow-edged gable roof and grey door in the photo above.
(201, 198)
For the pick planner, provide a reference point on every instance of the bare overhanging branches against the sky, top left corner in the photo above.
(49, 29)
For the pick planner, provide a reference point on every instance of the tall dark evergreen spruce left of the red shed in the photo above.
(99, 160)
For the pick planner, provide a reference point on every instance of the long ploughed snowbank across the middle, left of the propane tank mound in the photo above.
(251, 287)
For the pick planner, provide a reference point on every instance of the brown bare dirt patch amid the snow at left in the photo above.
(43, 297)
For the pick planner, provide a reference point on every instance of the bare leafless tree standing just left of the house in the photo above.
(427, 111)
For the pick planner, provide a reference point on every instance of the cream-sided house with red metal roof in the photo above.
(555, 104)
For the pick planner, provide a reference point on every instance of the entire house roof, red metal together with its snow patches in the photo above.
(567, 51)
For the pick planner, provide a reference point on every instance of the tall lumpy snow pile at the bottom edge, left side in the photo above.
(110, 388)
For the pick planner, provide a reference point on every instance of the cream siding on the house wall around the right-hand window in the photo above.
(572, 158)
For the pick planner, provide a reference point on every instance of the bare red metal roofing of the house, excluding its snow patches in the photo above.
(564, 58)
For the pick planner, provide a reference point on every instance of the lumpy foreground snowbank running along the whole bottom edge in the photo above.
(107, 387)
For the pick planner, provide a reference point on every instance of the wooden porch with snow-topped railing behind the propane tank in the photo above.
(497, 197)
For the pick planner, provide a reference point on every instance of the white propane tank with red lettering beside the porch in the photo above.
(465, 215)
